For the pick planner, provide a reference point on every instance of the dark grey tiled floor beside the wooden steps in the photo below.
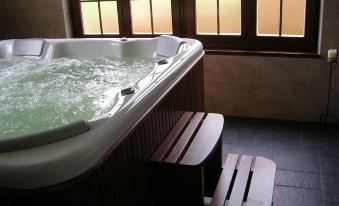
(306, 154)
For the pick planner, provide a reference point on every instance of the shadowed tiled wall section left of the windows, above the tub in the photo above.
(32, 19)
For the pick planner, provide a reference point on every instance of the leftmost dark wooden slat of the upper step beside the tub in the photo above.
(171, 137)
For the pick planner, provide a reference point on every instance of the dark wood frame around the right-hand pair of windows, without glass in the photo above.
(249, 41)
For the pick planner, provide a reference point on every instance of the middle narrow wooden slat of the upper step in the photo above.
(185, 138)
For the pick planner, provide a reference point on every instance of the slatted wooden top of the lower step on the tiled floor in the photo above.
(245, 181)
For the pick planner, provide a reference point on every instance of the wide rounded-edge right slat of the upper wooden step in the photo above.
(205, 140)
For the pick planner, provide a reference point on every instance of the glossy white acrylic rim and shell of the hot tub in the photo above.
(63, 160)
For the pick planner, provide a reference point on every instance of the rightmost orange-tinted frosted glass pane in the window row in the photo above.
(293, 19)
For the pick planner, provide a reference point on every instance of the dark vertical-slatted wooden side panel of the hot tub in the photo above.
(121, 178)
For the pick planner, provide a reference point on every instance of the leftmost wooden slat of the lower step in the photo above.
(239, 187)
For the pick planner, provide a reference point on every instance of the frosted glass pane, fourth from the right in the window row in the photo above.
(230, 16)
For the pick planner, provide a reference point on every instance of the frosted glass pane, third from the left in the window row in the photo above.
(141, 17)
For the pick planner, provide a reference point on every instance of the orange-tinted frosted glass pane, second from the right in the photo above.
(268, 17)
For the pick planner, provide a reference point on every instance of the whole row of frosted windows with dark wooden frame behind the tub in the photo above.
(270, 25)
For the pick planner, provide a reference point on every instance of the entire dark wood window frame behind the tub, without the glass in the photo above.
(184, 25)
